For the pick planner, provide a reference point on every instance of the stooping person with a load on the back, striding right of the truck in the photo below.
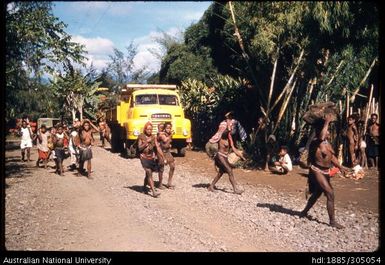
(221, 159)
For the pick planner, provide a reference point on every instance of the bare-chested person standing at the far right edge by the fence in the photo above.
(373, 140)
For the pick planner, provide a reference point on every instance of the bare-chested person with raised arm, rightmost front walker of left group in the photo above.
(86, 140)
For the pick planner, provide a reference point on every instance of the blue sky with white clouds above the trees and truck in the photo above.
(102, 26)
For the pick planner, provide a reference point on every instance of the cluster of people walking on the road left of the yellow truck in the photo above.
(59, 143)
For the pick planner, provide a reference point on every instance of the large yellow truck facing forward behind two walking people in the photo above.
(141, 103)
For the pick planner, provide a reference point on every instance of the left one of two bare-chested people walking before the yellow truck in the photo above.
(149, 150)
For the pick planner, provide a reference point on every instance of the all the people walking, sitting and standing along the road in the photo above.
(155, 153)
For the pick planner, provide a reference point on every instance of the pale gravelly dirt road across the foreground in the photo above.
(45, 211)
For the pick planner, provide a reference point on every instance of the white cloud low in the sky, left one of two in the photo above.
(98, 50)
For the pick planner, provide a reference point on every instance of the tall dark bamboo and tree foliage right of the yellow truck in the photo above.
(327, 32)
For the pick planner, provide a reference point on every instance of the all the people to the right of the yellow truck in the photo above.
(322, 160)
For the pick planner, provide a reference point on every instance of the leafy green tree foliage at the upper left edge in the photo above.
(36, 43)
